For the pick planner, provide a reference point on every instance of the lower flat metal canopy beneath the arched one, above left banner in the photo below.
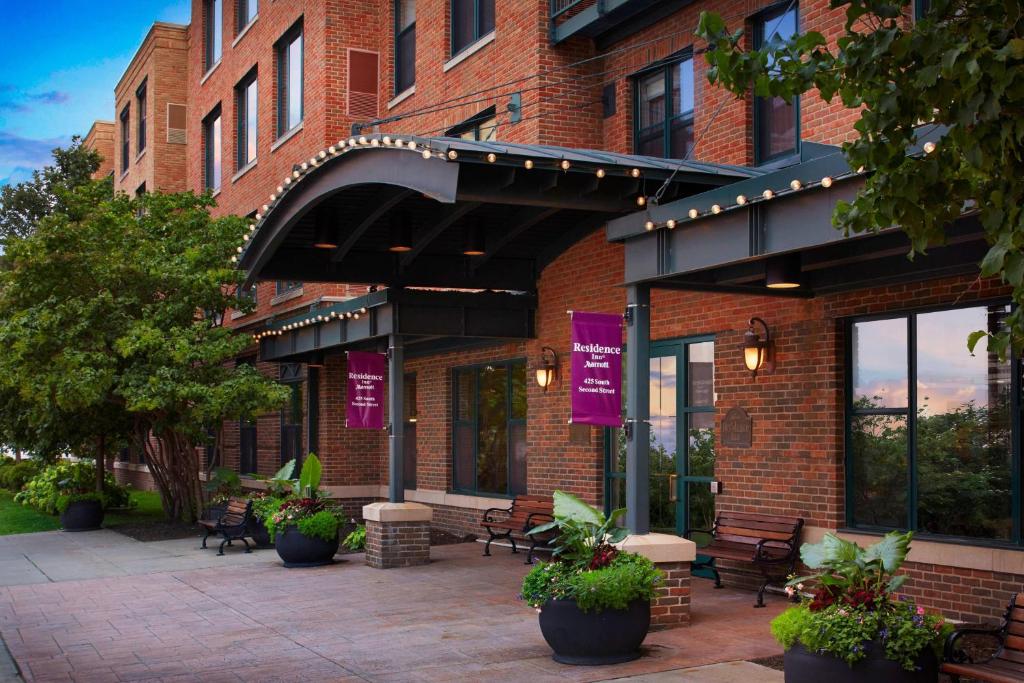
(432, 320)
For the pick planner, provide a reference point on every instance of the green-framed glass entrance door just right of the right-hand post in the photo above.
(682, 435)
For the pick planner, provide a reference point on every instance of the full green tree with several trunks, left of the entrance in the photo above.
(102, 319)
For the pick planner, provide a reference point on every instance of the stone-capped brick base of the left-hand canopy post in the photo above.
(398, 535)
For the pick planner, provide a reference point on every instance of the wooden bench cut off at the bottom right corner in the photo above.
(1006, 665)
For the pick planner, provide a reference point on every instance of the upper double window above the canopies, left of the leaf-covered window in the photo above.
(665, 110)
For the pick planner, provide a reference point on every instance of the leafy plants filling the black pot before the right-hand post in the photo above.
(587, 568)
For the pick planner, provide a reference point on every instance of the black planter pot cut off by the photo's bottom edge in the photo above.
(805, 667)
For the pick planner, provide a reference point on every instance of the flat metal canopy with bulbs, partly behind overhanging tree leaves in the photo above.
(738, 233)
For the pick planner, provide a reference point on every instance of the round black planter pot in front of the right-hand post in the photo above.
(594, 638)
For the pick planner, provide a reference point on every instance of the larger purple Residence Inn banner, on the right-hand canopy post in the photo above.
(598, 369)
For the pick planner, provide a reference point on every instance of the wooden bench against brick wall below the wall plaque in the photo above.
(770, 542)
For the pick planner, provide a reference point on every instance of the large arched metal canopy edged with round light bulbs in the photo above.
(530, 202)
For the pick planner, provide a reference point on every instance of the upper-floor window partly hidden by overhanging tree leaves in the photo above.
(777, 124)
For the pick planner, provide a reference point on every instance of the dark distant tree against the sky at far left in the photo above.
(24, 205)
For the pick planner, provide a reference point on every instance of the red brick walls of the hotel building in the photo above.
(796, 466)
